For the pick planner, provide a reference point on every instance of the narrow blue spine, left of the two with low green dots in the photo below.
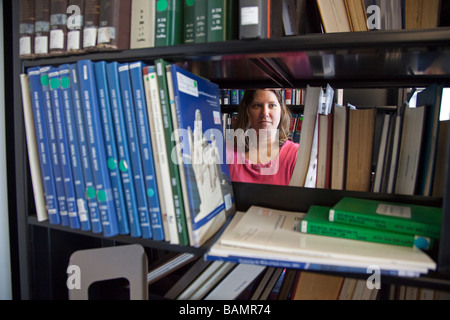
(89, 185)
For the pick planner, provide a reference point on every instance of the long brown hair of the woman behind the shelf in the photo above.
(243, 118)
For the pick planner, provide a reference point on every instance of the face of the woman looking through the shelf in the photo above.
(264, 111)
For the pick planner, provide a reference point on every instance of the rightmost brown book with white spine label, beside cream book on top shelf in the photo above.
(114, 25)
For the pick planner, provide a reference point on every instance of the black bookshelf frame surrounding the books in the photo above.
(344, 60)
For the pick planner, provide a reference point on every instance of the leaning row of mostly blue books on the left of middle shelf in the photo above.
(99, 158)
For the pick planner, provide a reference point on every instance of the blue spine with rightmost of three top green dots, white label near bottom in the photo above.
(74, 152)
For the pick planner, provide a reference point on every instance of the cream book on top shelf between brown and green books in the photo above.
(142, 29)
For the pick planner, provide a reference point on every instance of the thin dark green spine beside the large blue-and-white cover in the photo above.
(180, 215)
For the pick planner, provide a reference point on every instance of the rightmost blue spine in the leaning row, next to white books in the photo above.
(142, 119)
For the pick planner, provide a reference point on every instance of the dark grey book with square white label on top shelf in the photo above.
(260, 19)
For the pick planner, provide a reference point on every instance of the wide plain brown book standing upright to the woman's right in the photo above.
(361, 126)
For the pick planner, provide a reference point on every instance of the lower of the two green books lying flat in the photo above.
(316, 222)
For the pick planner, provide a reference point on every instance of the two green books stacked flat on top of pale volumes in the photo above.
(376, 221)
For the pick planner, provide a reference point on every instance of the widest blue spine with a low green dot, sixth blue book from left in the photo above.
(97, 151)
